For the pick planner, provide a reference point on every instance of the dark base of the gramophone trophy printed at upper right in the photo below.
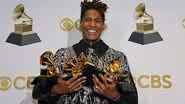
(145, 38)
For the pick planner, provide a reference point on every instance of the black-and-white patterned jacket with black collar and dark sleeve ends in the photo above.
(103, 56)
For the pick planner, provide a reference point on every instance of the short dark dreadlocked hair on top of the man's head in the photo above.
(94, 4)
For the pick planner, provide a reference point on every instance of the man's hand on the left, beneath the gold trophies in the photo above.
(72, 85)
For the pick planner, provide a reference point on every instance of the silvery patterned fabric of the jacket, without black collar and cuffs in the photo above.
(85, 96)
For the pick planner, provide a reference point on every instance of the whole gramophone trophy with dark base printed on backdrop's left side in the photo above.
(23, 34)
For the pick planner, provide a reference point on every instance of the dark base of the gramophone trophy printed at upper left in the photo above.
(21, 40)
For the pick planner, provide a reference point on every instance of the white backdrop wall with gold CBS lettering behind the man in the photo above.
(159, 65)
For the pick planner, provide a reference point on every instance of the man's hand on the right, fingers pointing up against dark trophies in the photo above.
(106, 88)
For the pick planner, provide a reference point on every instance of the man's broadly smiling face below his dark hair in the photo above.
(92, 25)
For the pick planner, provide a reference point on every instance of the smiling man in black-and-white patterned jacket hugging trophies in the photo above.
(105, 89)
